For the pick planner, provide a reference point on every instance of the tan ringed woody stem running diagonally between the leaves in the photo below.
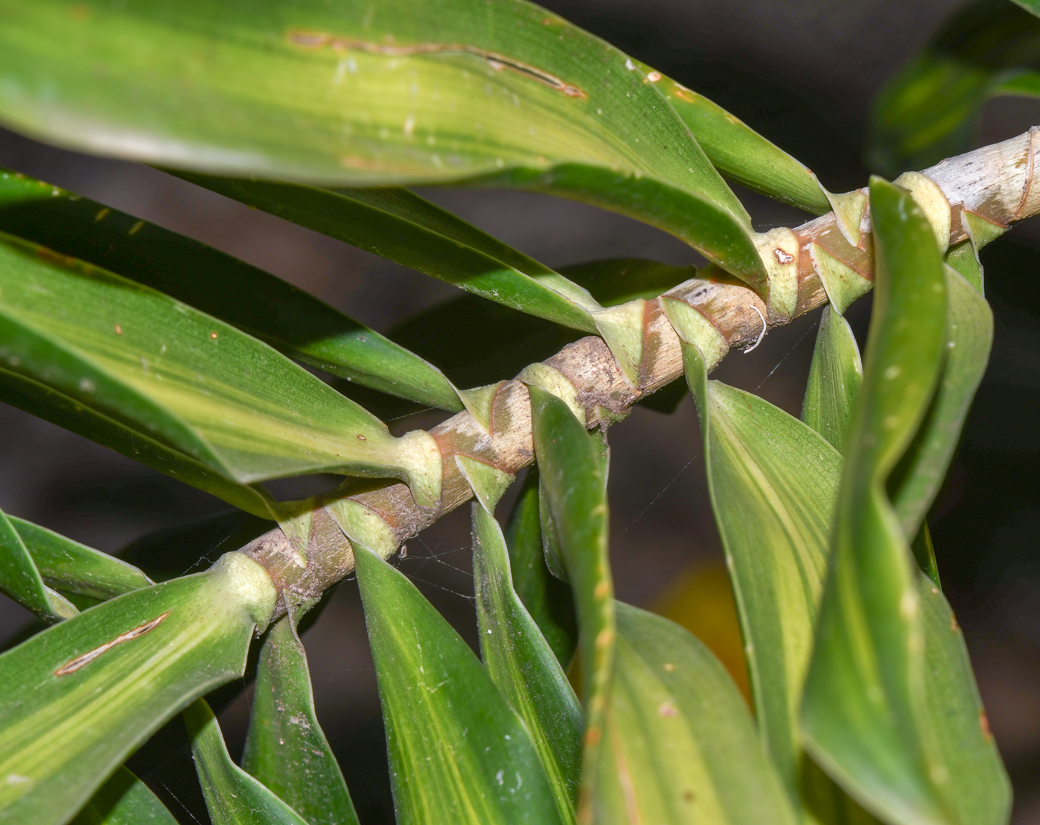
(995, 185)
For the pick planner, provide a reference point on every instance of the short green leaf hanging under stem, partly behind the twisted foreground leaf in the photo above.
(836, 376)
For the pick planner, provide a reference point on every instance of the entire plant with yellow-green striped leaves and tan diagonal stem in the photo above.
(865, 706)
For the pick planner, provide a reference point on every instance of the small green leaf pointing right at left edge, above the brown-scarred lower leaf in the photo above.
(72, 568)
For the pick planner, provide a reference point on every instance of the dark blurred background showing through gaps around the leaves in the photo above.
(803, 74)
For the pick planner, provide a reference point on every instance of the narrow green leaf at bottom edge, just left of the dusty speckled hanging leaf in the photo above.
(232, 796)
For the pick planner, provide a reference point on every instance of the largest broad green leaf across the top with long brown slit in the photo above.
(401, 93)
